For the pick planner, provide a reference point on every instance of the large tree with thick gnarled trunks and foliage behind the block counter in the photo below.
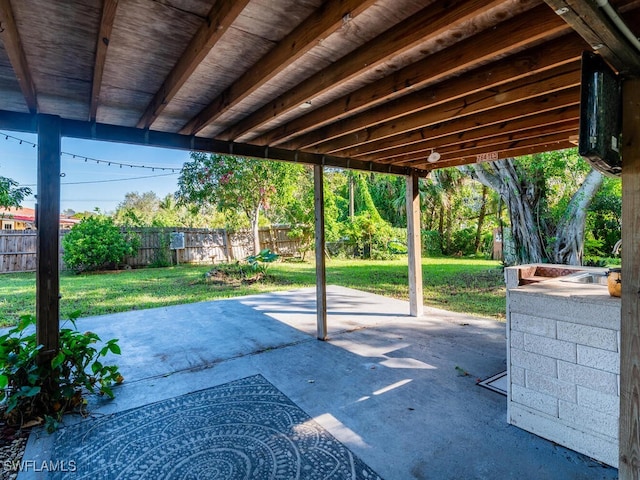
(546, 207)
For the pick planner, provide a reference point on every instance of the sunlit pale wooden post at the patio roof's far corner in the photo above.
(416, 307)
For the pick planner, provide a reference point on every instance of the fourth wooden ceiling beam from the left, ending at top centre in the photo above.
(320, 24)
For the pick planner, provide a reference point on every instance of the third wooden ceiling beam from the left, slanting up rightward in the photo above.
(222, 14)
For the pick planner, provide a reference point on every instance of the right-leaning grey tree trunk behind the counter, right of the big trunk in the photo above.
(569, 245)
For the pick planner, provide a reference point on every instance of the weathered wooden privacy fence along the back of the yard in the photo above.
(18, 248)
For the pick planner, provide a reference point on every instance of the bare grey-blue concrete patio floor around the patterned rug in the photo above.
(385, 384)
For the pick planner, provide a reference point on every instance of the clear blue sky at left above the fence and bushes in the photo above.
(87, 185)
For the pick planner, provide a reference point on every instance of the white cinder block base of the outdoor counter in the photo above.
(563, 366)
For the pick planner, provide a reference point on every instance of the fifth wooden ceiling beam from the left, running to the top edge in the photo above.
(434, 20)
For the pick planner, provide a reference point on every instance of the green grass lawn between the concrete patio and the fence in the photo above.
(458, 284)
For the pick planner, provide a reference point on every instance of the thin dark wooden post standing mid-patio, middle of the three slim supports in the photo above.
(321, 278)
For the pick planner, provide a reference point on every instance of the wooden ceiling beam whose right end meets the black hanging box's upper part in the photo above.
(544, 83)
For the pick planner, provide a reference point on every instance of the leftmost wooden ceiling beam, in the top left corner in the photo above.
(15, 51)
